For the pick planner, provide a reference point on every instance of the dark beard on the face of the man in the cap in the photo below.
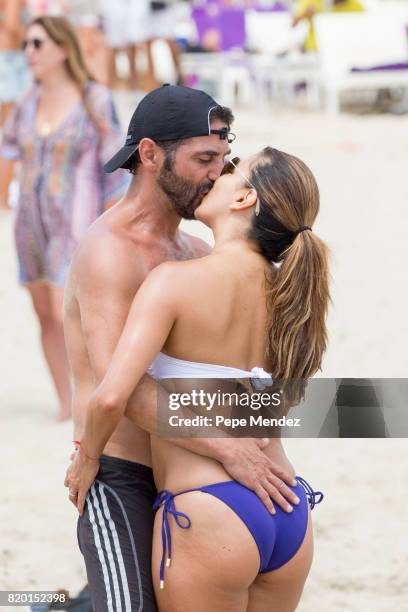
(184, 195)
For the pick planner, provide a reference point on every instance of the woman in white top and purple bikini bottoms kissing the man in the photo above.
(224, 315)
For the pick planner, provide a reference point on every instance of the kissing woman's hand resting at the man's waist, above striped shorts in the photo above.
(80, 477)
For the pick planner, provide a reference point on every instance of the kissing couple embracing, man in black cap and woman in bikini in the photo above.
(203, 524)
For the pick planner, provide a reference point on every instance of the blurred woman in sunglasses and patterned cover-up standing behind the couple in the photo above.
(62, 131)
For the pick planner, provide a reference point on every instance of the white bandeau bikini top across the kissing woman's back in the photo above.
(165, 366)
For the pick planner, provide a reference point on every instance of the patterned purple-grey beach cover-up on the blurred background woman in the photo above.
(63, 186)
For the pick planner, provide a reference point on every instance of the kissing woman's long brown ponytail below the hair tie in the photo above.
(297, 301)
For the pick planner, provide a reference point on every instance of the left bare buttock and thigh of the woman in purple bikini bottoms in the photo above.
(214, 562)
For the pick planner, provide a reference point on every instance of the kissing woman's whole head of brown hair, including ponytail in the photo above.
(298, 286)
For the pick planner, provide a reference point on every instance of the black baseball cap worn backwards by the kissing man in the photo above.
(171, 112)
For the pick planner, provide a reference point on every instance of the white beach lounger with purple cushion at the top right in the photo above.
(359, 40)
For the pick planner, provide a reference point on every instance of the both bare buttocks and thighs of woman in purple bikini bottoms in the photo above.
(216, 562)
